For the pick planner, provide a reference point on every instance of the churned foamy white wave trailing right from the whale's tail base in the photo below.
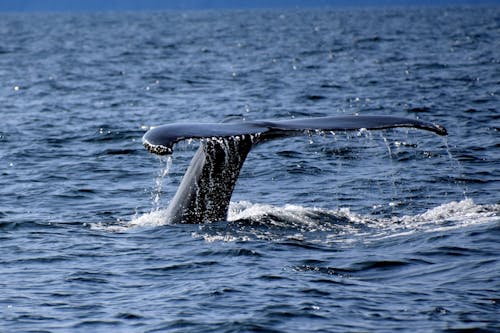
(249, 221)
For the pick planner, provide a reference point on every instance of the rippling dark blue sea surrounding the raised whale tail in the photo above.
(370, 231)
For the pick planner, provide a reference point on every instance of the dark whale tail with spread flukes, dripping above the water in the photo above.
(206, 188)
